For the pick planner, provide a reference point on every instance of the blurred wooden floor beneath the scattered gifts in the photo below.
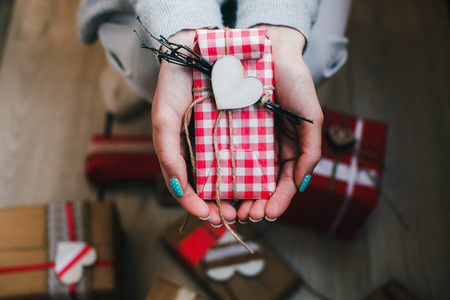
(398, 72)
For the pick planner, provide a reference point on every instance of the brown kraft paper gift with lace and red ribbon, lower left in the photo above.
(27, 249)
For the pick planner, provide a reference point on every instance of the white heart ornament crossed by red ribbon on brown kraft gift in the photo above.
(71, 258)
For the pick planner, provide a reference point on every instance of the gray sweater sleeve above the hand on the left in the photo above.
(159, 16)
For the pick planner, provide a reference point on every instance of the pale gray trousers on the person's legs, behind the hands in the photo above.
(326, 52)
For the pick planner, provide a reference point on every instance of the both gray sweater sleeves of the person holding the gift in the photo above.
(163, 17)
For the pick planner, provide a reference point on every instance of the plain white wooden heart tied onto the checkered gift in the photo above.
(231, 90)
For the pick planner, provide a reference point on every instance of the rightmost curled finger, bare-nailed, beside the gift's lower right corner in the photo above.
(286, 189)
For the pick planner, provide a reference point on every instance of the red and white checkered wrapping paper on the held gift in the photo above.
(253, 127)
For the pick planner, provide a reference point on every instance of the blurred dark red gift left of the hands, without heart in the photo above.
(121, 158)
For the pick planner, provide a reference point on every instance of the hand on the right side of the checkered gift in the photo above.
(298, 147)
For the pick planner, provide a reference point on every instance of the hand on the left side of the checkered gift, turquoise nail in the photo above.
(172, 98)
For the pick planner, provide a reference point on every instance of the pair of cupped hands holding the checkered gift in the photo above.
(298, 148)
